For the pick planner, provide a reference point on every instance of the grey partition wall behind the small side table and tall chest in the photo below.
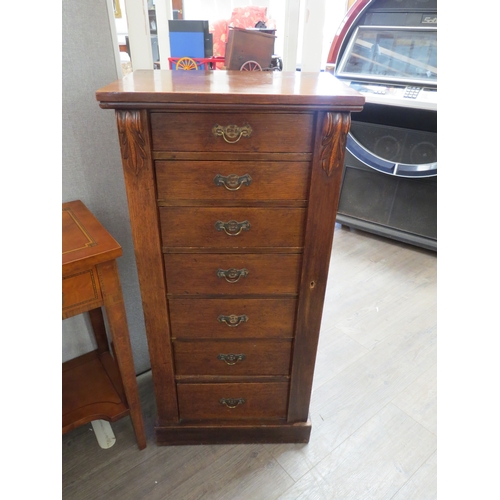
(91, 163)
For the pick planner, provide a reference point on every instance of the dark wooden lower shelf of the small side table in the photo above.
(91, 390)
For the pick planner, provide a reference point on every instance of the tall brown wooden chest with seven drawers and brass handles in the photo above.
(233, 182)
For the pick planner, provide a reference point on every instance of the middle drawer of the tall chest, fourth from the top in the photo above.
(230, 274)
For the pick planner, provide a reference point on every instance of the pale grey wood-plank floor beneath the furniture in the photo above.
(373, 407)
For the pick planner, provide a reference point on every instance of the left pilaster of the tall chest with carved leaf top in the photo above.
(133, 131)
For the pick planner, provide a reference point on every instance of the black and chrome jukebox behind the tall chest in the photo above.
(387, 50)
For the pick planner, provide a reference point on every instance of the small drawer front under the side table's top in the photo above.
(81, 290)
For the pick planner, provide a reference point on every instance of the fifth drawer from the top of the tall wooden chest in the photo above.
(232, 318)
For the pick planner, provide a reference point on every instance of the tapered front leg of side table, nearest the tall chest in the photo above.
(117, 322)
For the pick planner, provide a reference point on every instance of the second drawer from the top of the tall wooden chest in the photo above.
(232, 180)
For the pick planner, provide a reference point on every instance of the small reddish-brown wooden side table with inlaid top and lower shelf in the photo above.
(99, 384)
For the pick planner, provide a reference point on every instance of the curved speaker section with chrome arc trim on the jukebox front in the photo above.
(394, 150)
